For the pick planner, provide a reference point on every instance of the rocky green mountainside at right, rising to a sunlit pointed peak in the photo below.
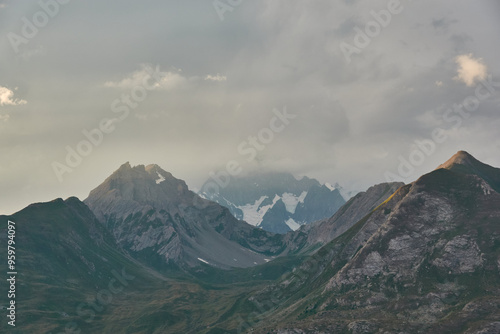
(424, 261)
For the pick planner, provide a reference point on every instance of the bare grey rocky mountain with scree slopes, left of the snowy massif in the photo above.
(158, 220)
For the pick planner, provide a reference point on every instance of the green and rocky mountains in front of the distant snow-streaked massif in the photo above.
(144, 254)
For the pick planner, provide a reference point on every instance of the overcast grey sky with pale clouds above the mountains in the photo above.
(357, 103)
